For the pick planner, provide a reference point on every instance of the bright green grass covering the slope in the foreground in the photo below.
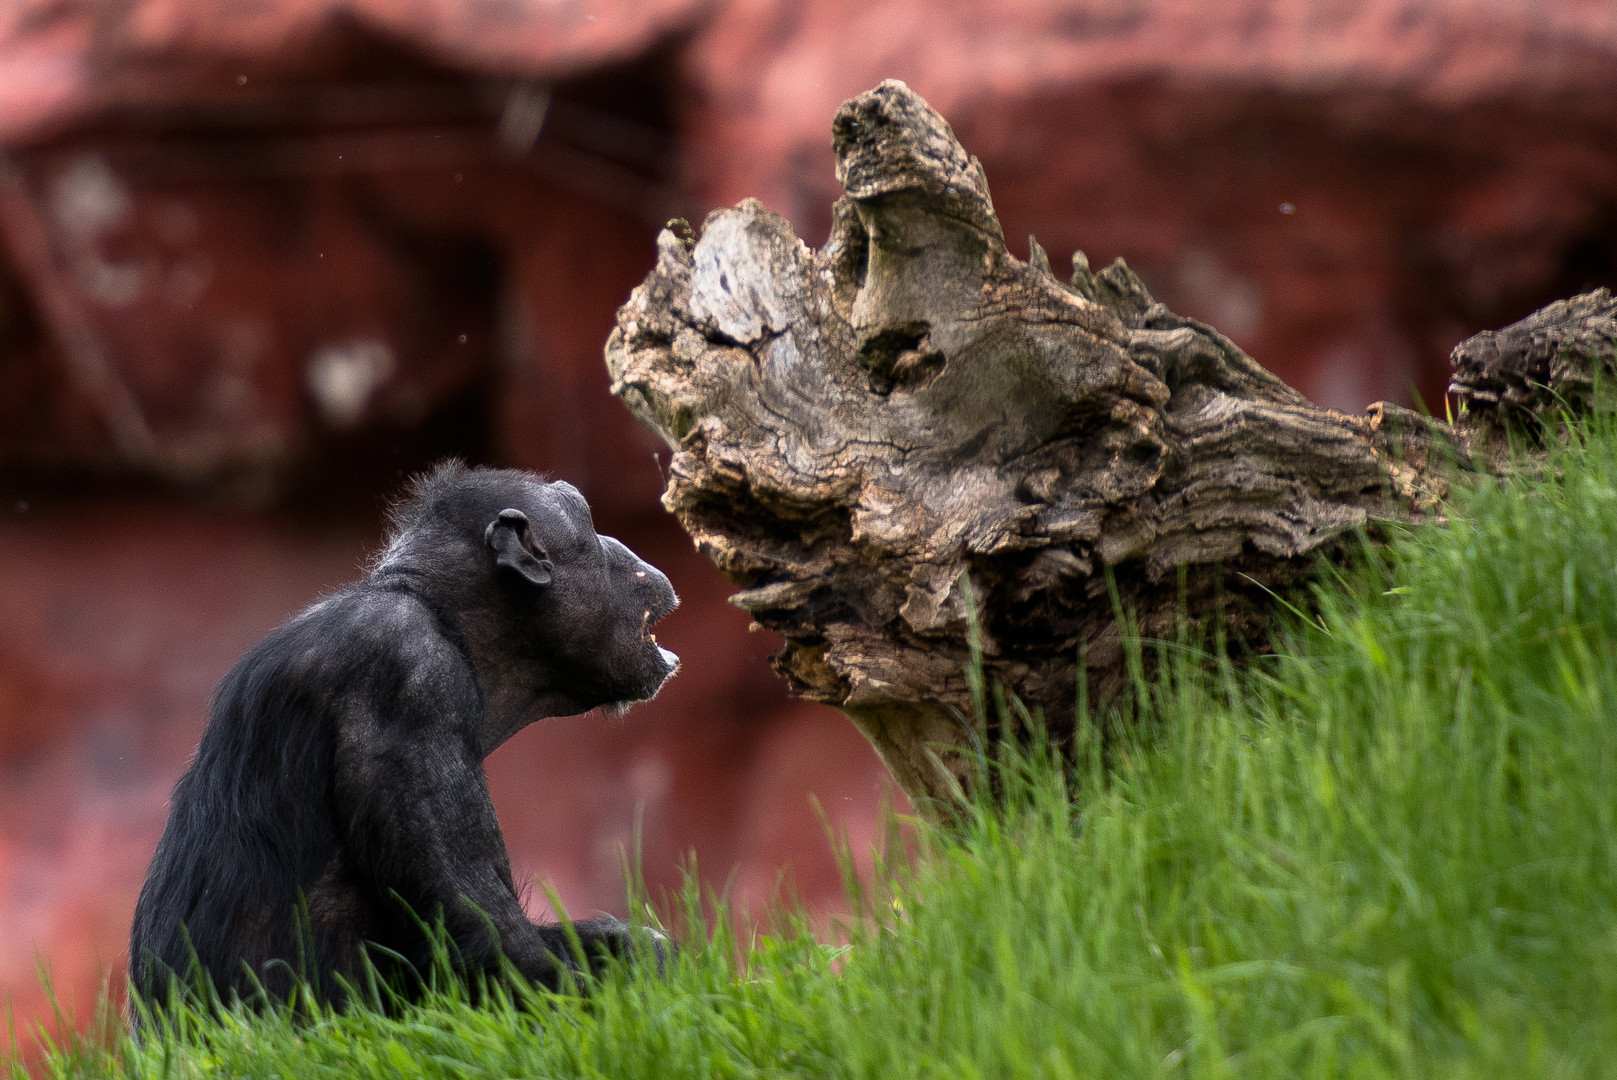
(1390, 850)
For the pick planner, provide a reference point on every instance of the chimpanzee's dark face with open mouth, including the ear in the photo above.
(586, 602)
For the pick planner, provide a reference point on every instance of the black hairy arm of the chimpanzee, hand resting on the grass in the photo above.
(415, 819)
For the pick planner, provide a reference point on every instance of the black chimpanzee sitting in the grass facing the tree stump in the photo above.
(339, 796)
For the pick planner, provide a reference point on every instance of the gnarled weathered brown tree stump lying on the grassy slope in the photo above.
(855, 428)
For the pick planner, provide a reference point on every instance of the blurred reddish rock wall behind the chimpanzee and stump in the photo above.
(261, 261)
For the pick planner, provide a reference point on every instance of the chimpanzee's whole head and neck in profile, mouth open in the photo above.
(557, 618)
